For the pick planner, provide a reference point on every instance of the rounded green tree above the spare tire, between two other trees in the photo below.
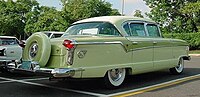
(45, 19)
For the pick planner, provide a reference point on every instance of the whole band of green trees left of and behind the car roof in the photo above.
(25, 17)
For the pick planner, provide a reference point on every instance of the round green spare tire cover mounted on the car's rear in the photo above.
(38, 48)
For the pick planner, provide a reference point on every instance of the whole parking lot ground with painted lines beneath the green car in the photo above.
(17, 85)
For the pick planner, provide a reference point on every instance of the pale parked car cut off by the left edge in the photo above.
(10, 50)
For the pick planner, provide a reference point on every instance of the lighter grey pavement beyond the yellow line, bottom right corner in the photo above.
(187, 89)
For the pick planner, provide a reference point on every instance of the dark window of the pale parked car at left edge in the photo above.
(8, 41)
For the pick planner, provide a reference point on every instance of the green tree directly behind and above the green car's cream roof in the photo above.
(81, 9)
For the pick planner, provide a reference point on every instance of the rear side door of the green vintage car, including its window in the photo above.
(142, 47)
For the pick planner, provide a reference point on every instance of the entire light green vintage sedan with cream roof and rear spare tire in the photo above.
(110, 47)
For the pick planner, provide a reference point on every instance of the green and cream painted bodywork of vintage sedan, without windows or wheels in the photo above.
(103, 53)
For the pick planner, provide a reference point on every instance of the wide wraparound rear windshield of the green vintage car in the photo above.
(93, 28)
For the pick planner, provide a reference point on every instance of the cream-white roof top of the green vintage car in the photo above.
(113, 19)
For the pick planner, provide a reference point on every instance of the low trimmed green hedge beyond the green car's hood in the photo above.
(192, 38)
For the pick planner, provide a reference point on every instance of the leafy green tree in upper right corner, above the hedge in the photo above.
(177, 16)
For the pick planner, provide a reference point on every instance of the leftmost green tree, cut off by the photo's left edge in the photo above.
(12, 18)
